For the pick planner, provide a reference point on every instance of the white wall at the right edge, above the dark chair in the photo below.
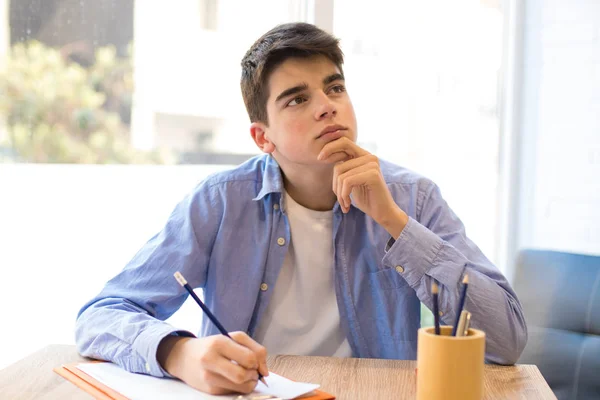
(560, 126)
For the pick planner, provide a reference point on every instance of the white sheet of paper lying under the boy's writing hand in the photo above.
(144, 387)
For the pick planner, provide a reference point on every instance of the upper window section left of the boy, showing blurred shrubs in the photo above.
(100, 82)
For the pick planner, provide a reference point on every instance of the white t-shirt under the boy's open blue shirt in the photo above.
(302, 317)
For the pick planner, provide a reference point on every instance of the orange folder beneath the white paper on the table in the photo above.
(102, 392)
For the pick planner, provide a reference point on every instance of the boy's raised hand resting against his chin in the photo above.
(357, 173)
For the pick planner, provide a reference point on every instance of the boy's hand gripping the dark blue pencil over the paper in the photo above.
(214, 364)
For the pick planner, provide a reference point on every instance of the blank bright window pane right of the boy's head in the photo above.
(424, 78)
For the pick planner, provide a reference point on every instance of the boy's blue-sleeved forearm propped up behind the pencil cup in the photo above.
(495, 309)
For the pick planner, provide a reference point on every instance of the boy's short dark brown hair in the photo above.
(285, 41)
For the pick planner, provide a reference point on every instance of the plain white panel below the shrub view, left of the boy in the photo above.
(65, 230)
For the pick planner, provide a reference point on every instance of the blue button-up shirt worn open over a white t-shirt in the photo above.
(230, 235)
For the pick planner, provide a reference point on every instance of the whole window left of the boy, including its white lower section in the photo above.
(109, 82)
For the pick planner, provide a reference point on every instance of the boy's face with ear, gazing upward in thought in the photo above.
(308, 107)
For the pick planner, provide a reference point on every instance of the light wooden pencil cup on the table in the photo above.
(450, 367)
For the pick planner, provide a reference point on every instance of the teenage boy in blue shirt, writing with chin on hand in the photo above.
(316, 247)
